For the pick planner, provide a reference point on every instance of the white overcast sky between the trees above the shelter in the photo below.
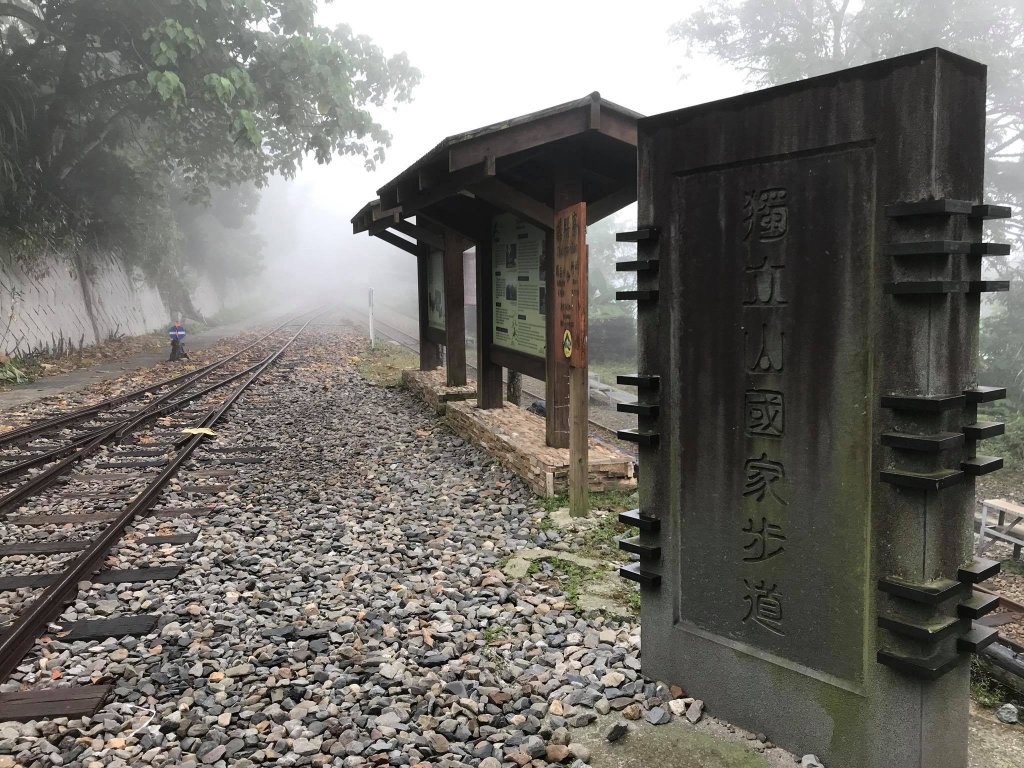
(483, 63)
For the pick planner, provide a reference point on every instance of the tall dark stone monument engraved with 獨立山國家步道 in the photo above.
(809, 283)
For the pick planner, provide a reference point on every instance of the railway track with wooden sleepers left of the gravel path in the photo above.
(78, 490)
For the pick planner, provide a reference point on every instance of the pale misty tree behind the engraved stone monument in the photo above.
(776, 41)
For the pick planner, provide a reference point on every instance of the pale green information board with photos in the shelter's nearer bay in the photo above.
(520, 267)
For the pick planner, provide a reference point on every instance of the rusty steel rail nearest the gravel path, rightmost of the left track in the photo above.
(33, 622)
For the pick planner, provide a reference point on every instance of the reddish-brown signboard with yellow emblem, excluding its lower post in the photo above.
(571, 283)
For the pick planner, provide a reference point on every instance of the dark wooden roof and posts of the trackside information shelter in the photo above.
(532, 167)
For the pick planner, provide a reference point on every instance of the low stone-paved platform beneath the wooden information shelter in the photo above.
(516, 438)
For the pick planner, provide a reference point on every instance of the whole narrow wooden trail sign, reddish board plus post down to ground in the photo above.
(571, 317)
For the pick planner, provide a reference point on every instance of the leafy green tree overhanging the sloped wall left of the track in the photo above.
(163, 98)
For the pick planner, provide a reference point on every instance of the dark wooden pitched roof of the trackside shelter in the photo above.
(513, 166)
